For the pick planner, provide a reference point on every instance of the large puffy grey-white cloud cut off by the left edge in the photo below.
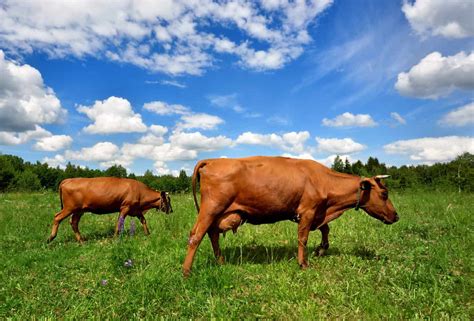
(25, 101)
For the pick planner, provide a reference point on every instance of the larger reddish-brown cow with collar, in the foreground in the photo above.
(261, 190)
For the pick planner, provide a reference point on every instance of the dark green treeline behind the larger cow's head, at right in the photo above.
(456, 175)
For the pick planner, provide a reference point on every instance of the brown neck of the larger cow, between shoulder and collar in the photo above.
(342, 193)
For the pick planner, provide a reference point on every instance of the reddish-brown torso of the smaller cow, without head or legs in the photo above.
(100, 194)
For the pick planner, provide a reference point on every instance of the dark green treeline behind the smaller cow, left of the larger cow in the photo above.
(18, 175)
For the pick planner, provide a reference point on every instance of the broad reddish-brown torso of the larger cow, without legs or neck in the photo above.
(259, 185)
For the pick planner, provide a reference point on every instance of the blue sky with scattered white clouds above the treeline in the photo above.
(160, 84)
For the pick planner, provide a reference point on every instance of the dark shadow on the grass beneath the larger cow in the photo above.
(261, 254)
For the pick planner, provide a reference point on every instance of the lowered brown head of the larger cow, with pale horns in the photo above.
(373, 199)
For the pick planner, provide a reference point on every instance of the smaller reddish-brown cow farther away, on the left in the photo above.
(103, 195)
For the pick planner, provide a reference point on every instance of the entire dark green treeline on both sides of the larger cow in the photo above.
(458, 175)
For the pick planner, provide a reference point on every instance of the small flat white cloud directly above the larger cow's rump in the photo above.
(199, 142)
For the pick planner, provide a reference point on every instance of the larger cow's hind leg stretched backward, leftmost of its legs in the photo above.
(204, 221)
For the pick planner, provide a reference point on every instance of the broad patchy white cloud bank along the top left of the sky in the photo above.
(173, 37)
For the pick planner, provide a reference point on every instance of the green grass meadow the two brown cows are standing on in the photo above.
(420, 267)
